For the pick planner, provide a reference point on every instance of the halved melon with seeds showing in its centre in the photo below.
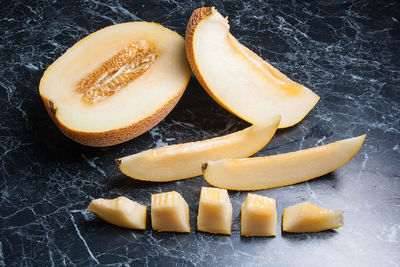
(116, 83)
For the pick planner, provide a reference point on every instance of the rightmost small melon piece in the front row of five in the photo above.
(306, 217)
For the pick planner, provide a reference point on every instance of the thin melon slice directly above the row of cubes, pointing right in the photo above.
(283, 169)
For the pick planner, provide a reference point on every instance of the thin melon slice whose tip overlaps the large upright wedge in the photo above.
(182, 161)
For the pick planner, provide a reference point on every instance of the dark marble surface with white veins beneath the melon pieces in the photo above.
(348, 52)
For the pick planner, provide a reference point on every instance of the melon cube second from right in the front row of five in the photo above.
(258, 216)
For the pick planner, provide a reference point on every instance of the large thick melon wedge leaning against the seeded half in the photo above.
(237, 78)
